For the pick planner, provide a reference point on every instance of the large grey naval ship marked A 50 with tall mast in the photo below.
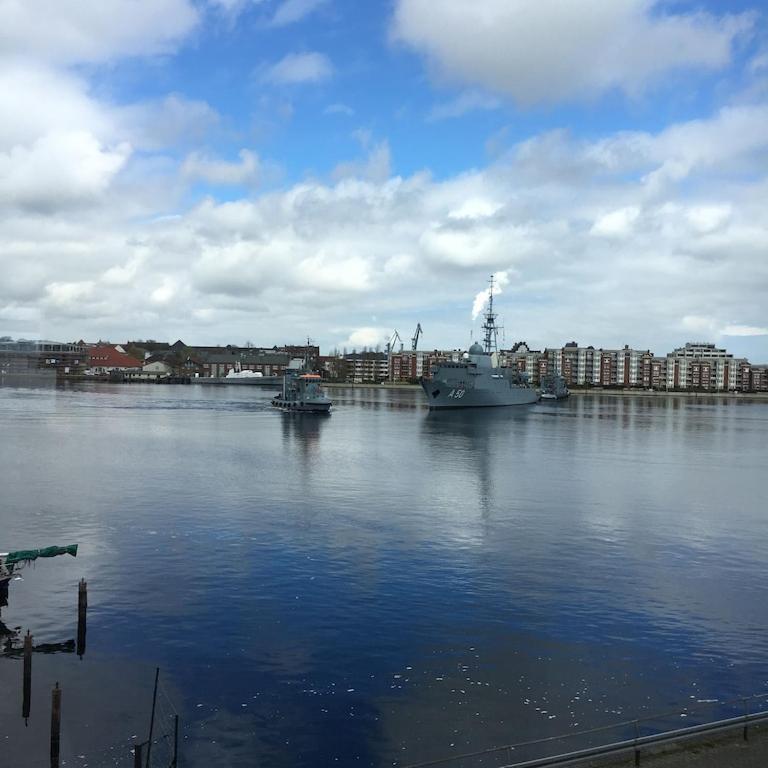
(477, 381)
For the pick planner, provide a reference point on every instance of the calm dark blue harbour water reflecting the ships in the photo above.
(382, 586)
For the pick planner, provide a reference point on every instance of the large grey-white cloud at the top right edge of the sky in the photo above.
(562, 49)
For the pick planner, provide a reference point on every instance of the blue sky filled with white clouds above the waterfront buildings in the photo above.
(264, 171)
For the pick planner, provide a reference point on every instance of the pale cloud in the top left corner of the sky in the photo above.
(69, 31)
